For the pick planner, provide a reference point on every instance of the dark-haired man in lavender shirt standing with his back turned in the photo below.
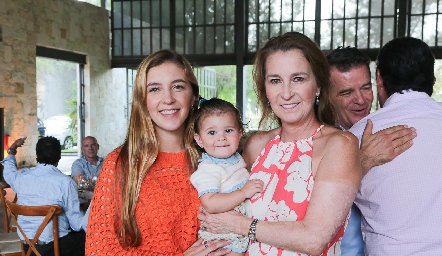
(401, 200)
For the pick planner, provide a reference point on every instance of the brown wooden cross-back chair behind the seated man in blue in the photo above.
(48, 212)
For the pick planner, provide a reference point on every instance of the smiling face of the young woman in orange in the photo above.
(169, 98)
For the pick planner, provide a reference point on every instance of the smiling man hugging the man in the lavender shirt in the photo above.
(352, 97)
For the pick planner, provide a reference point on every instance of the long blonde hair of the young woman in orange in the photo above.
(140, 148)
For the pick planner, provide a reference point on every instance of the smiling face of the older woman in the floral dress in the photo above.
(290, 86)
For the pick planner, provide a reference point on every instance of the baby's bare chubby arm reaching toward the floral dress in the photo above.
(223, 202)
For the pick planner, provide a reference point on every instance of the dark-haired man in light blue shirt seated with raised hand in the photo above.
(46, 185)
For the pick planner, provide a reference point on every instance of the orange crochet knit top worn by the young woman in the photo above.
(166, 211)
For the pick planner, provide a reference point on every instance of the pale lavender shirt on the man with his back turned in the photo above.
(401, 201)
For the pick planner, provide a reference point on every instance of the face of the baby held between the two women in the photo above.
(219, 135)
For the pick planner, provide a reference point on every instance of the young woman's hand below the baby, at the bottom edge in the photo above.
(213, 248)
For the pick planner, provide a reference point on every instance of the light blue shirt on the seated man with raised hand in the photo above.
(44, 185)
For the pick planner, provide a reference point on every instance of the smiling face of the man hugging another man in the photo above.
(351, 94)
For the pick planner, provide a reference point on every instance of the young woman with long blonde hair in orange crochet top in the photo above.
(144, 203)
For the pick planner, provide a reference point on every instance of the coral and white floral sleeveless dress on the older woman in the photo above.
(286, 170)
